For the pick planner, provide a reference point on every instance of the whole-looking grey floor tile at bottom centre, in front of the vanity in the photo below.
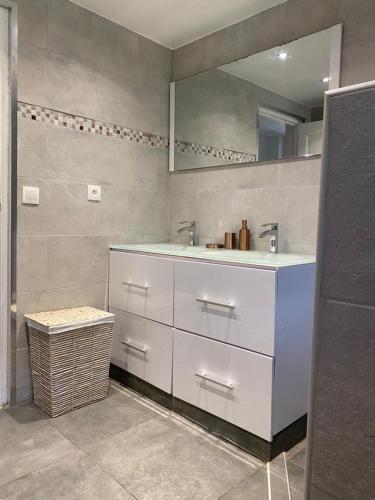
(166, 459)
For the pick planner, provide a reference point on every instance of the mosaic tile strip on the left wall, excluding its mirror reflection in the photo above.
(88, 125)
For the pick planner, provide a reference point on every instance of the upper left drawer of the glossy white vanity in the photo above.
(142, 285)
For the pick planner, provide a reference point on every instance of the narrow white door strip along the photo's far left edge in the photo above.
(4, 194)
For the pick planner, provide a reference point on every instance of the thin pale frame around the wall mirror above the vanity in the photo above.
(334, 71)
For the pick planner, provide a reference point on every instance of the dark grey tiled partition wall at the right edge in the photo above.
(342, 455)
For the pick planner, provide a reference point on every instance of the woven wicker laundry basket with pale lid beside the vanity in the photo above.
(70, 352)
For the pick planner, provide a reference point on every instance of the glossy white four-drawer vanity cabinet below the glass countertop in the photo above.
(230, 339)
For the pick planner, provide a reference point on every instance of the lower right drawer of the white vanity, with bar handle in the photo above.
(229, 382)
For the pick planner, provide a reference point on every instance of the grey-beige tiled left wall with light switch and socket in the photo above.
(73, 61)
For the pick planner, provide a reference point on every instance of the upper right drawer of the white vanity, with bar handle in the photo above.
(235, 305)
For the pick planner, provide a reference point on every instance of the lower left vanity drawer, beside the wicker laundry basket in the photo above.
(143, 348)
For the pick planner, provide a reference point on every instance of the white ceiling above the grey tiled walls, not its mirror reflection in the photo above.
(174, 23)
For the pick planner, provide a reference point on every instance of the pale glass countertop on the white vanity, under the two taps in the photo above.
(250, 258)
